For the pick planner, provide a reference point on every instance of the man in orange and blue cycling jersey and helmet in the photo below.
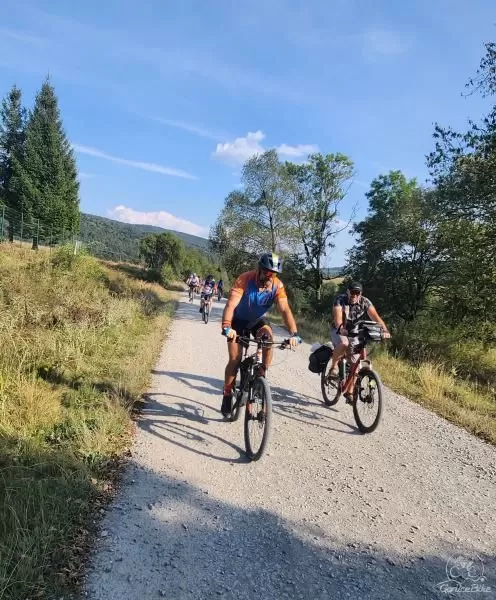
(251, 296)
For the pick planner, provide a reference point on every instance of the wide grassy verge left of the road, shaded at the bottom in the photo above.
(78, 341)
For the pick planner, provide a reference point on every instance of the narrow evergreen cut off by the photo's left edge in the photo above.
(12, 134)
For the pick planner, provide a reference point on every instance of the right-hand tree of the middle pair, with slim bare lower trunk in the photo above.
(316, 190)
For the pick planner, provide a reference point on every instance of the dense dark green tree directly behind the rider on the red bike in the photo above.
(399, 256)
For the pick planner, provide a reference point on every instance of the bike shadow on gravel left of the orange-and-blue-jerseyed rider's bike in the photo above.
(175, 425)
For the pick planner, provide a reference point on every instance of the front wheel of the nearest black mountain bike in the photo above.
(258, 419)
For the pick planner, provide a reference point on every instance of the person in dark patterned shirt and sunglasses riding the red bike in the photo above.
(348, 308)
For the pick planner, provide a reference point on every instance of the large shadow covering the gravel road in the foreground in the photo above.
(169, 538)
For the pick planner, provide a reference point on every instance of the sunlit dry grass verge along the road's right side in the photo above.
(462, 402)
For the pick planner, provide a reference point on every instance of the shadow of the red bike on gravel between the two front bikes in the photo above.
(296, 406)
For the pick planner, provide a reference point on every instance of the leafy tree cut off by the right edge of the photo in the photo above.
(463, 167)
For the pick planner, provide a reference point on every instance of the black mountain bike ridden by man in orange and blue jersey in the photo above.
(253, 391)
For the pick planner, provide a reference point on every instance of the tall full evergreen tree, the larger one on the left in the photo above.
(46, 176)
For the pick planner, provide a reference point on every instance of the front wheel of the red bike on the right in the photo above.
(367, 400)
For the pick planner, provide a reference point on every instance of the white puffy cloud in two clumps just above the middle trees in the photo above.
(242, 148)
